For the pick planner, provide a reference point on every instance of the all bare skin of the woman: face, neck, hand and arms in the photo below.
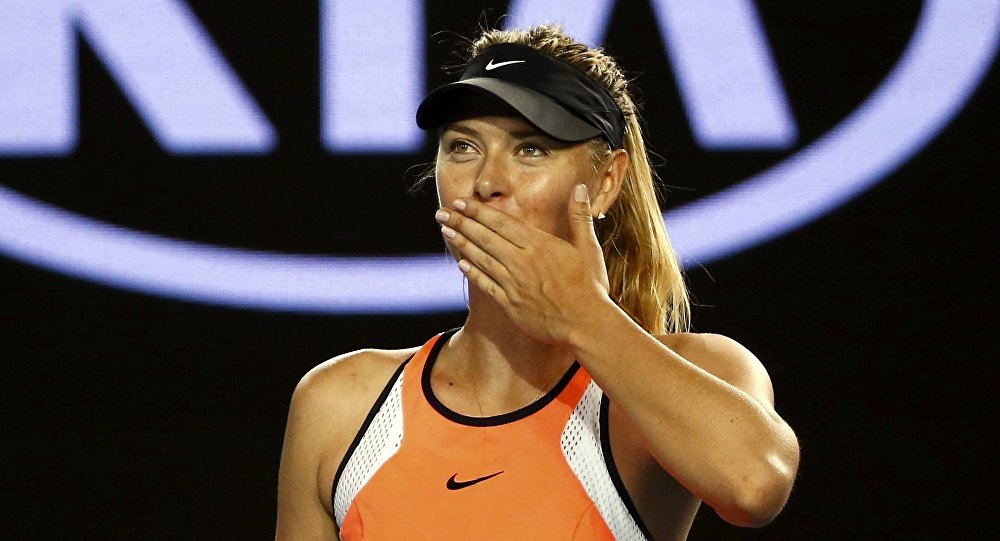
(692, 415)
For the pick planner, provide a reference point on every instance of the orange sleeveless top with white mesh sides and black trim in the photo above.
(417, 470)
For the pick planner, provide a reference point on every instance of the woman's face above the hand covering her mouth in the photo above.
(507, 163)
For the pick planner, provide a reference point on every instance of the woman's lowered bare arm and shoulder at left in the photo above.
(327, 409)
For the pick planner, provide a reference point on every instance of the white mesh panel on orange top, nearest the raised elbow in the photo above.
(581, 445)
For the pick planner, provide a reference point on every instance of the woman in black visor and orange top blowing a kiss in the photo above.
(572, 404)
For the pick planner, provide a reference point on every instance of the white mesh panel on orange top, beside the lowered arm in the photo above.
(380, 442)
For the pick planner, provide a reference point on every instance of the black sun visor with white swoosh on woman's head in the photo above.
(555, 97)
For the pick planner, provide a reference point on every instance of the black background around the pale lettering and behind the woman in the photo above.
(127, 416)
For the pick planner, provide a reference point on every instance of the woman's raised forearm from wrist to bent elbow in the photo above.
(725, 446)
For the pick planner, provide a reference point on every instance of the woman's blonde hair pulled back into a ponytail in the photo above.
(646, 278)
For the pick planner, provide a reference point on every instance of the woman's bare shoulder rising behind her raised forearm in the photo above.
(724, 358)
